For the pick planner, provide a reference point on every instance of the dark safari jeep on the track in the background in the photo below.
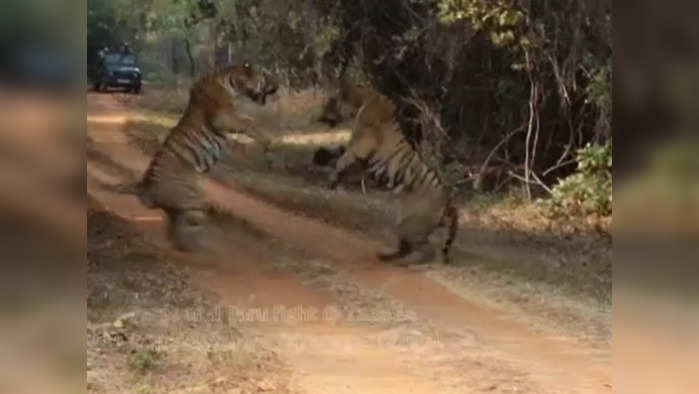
(118, 69)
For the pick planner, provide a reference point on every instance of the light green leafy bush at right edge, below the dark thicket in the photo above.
(589, 189)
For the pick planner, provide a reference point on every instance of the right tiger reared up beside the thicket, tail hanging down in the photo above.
(424, 202)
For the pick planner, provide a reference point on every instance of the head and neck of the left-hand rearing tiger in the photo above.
(232, 87)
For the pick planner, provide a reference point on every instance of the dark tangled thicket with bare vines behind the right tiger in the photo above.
(485, 68)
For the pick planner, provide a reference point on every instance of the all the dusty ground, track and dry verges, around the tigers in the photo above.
(289, 303)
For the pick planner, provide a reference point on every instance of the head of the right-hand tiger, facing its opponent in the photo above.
(344, 101)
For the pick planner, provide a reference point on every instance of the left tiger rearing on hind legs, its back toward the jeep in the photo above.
(224, 101)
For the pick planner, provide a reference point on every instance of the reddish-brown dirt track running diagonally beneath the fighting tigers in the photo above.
(423, 338)
